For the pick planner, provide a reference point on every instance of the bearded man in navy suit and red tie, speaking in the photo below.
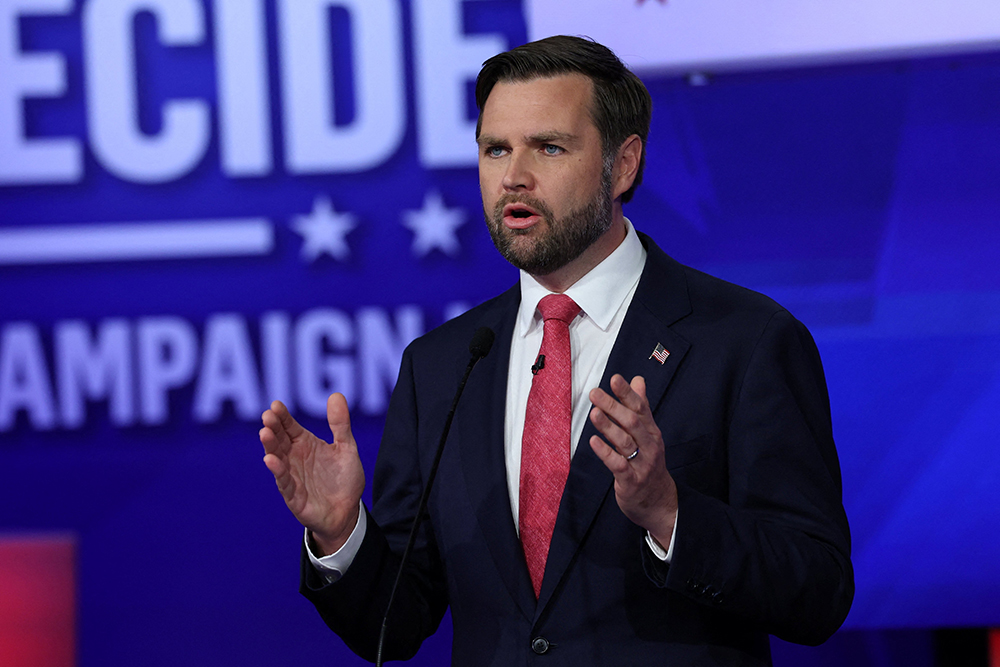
(646, 477)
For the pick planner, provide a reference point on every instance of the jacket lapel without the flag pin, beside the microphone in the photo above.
(482, 457)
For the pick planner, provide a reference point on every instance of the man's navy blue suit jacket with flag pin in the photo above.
(762, 542)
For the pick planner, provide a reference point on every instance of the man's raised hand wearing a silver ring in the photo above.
(644, 488)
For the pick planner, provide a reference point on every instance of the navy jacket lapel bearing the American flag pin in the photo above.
(660, 300)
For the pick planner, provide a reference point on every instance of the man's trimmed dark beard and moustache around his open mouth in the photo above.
(565, 239)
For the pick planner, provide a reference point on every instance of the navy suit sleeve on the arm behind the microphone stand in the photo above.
(353, 606)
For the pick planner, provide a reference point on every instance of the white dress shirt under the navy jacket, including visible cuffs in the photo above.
(603, 295)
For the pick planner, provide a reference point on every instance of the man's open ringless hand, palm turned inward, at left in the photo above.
(320, 482)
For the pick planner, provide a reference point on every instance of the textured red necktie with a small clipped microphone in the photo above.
(545, 444)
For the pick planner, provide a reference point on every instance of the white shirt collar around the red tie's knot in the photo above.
(600, 293)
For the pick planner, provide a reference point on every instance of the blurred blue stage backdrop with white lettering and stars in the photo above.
(208, 204)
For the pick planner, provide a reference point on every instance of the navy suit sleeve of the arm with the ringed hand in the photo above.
(776, 552)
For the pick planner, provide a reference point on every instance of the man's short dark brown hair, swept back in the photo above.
(621, 106)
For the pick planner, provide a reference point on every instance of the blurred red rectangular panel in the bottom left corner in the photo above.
(37, 601)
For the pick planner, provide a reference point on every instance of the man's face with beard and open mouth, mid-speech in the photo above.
(546, 192)
